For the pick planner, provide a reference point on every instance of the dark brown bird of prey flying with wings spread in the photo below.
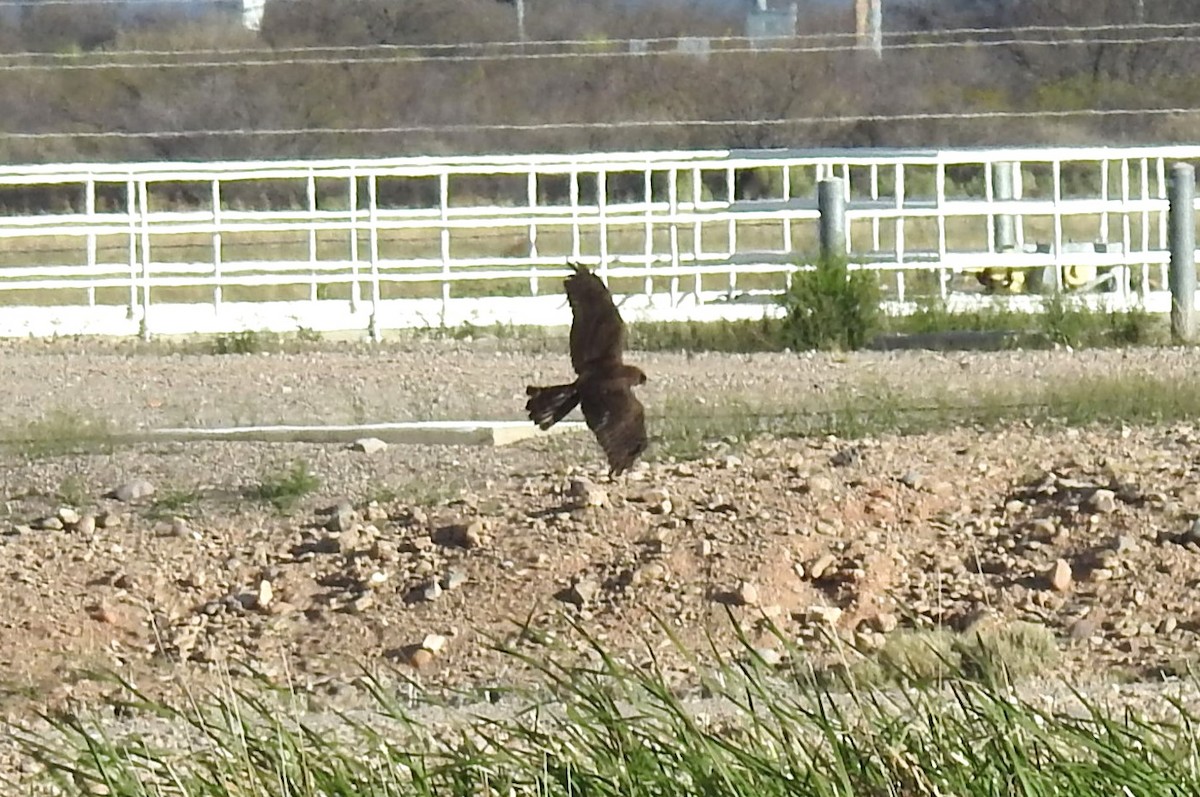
(604, 388)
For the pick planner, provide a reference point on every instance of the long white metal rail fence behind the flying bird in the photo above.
(416, 242)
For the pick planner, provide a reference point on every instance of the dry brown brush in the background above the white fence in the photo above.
(394, 89)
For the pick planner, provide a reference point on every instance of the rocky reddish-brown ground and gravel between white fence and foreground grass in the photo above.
(310, 562)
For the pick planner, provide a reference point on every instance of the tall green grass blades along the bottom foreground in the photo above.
(613, 729)
